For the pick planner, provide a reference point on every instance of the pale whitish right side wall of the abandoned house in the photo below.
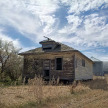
(83, 73)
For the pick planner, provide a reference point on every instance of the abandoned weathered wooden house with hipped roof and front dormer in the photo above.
(56, 60)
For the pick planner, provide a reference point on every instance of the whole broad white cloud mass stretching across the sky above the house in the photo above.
(35, 18)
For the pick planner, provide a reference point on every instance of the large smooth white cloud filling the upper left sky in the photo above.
(32, 18)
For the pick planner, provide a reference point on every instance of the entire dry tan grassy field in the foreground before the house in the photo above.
(88, 94)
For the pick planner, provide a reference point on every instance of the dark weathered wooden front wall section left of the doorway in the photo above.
(32, 66)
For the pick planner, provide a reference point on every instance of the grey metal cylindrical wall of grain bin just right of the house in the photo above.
(98, 68)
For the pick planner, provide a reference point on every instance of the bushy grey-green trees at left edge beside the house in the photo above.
(10, 63)
